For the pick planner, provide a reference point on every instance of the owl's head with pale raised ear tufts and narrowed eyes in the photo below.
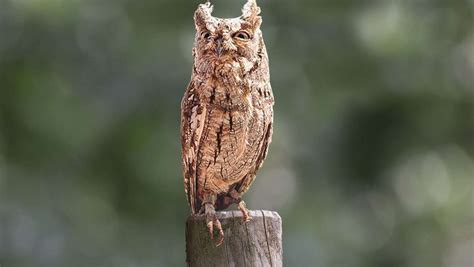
(235, 40)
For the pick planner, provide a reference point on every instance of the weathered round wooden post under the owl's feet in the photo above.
(255, 243)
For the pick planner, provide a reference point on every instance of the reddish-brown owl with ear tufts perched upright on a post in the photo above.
(226, 113)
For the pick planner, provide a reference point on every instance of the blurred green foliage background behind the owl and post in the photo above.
(372, 162)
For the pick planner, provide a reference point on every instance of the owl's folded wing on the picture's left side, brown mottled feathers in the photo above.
(193, 117)
